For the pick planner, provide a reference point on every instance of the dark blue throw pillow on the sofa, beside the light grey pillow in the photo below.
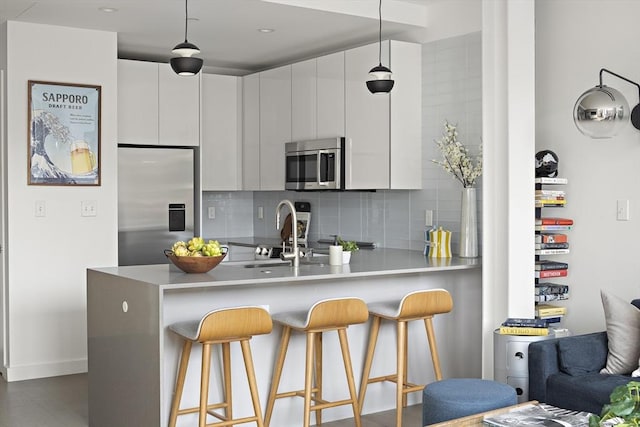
(582, 356)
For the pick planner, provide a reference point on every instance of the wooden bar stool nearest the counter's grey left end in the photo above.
(221, 326)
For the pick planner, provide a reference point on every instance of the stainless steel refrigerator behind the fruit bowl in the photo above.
(157, 203)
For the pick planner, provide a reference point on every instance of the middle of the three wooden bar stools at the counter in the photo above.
(326, 315)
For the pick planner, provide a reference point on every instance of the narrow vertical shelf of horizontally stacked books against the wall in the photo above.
(552, 242)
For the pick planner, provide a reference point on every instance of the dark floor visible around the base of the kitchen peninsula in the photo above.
(62, 402)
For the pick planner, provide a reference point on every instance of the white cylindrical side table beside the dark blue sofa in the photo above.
(511, 360)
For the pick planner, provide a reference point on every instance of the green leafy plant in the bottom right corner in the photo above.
(625, 404)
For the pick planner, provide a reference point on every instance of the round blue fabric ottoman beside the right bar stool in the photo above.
(454, 398)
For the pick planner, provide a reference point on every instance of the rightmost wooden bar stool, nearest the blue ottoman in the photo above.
(418, 305)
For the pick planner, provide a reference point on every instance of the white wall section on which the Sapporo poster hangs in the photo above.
(46, 257)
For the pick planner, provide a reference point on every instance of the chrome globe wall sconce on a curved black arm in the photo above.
(602, 111)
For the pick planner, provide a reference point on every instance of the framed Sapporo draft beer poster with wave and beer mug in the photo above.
(63, 134)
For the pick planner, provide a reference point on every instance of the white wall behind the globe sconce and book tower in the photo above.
(574, 40)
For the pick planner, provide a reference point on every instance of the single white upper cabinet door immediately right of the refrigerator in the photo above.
(221, 145)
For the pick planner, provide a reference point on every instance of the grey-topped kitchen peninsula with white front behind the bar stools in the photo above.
(133, 355)
